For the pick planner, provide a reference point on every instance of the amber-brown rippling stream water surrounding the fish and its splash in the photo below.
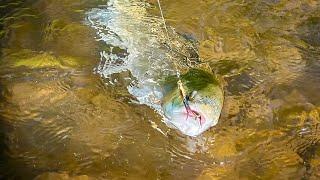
(61, 118)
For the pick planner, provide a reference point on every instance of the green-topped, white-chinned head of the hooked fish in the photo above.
(200, 106)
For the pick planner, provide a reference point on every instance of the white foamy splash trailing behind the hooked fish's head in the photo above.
(137, 43)
